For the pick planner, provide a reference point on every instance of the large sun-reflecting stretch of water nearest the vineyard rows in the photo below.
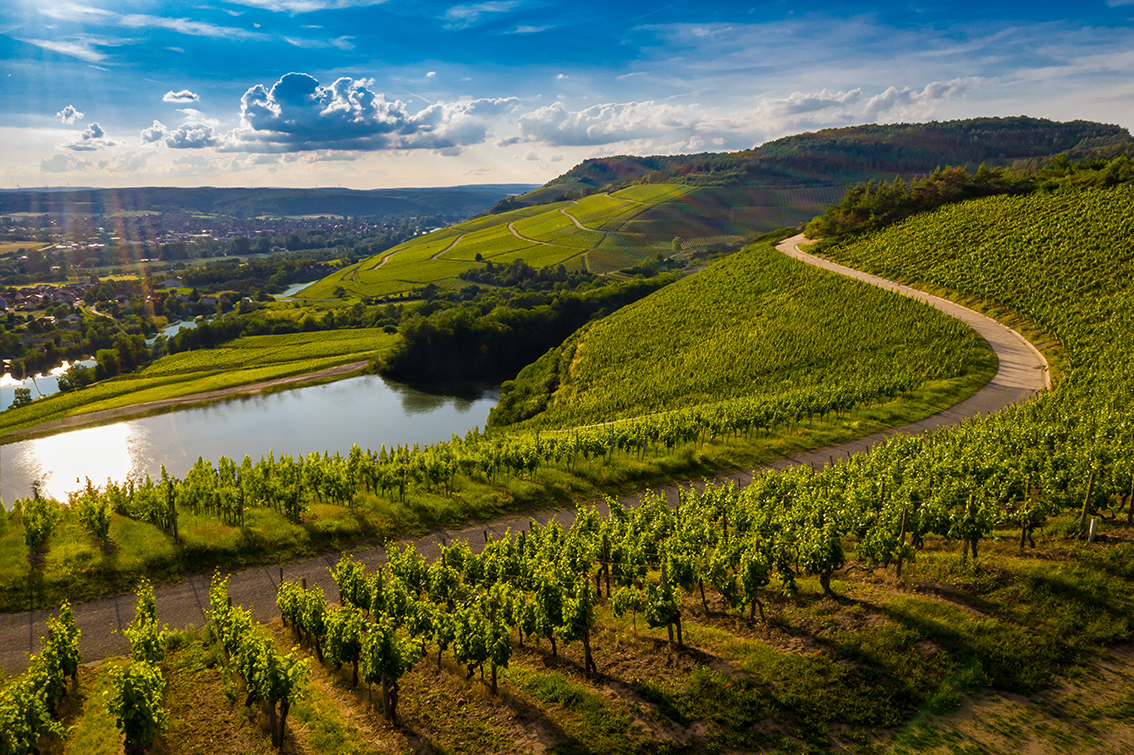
(368, 411)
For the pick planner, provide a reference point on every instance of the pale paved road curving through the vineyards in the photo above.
(1022, 374)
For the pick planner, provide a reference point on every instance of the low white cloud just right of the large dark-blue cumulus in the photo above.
(604, 124)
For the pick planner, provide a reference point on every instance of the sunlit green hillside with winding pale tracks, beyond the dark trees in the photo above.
(619, 231)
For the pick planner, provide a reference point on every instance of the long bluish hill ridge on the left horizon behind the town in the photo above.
(454, 202)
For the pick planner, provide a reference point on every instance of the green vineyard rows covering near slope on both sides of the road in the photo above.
(852, 608)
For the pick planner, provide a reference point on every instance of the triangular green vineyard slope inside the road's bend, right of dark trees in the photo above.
(750, 326)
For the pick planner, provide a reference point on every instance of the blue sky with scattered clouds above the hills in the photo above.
(376, 95)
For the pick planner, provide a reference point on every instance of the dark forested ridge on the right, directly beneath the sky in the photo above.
(840, 157)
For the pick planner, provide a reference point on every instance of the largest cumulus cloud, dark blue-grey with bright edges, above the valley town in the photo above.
(298, 115)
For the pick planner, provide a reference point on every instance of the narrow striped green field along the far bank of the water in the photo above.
(246, 361)
